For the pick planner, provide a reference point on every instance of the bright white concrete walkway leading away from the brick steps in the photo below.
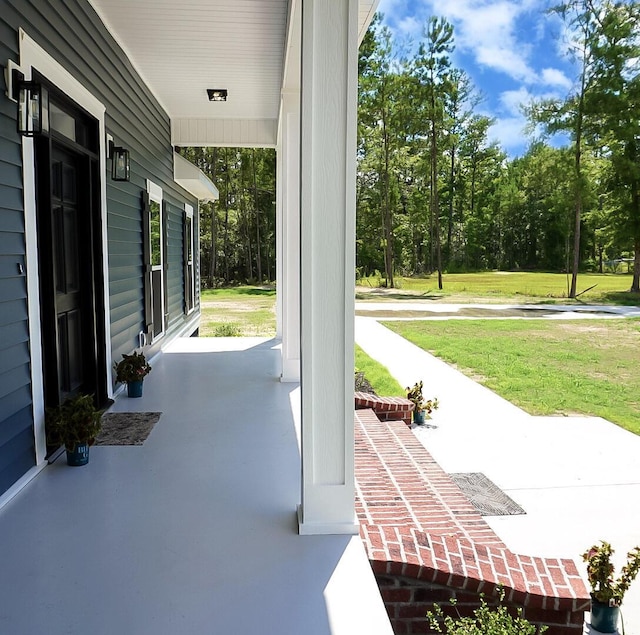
(578, 478)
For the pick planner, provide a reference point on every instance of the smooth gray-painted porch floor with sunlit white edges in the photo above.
(193, 532)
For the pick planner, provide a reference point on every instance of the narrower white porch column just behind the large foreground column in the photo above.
(289, 160)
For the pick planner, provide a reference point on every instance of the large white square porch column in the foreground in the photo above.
(328, 173)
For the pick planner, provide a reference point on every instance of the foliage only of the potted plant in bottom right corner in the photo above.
(600, 573)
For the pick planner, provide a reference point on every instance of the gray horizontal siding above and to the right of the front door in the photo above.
(72, 33)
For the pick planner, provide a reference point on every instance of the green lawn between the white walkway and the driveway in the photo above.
(546, 367)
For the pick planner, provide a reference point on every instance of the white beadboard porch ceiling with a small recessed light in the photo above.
(181, 48)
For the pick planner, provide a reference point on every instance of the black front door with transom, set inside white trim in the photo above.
(70, 259)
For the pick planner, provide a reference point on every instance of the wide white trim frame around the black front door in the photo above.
(33, 56)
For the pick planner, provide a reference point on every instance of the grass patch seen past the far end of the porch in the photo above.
(241, 311)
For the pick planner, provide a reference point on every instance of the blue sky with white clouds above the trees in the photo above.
(512, 50)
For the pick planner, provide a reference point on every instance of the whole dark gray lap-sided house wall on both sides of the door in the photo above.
(71, 33)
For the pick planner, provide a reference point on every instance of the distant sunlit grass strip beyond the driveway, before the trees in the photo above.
(520, 287)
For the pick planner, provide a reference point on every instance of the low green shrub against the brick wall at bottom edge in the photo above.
(486, 620)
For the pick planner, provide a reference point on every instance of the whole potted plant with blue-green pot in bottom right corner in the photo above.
(606, 592)
